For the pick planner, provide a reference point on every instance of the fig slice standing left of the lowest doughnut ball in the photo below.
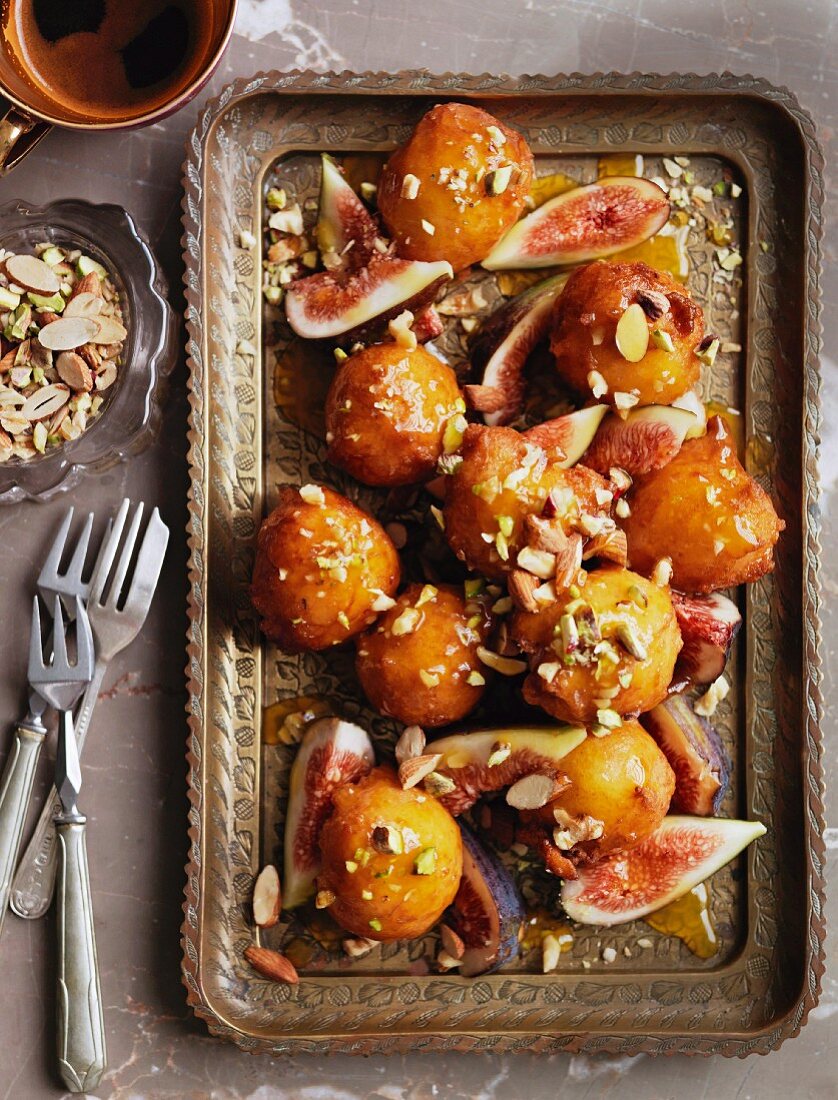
(333, 754)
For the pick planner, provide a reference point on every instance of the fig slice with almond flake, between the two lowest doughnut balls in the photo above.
(492, 760)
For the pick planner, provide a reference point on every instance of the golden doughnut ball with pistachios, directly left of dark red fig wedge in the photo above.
(612, 648)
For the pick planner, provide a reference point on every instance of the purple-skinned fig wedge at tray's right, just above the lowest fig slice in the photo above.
(696, 754)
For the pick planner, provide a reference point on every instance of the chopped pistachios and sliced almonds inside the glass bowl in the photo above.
(62, 339)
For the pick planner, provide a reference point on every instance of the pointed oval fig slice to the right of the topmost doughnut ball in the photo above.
(614, 214)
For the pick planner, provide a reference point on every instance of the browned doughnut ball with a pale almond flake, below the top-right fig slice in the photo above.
(585, 331)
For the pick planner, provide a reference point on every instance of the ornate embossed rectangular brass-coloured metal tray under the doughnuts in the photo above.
(255, 425)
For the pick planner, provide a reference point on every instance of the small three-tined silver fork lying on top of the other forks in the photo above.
(81, 1021)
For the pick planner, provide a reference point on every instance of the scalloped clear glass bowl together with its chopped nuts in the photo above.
(86, 342)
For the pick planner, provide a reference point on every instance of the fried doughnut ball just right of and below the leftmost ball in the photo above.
(420, 664)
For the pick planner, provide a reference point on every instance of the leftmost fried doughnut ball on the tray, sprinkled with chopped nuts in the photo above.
(322, 568)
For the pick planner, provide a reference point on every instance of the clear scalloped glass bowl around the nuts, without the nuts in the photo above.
(130, 417)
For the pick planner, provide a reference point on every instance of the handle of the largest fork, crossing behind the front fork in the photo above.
(35, 882)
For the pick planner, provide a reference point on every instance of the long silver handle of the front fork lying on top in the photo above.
(81, 1019)
